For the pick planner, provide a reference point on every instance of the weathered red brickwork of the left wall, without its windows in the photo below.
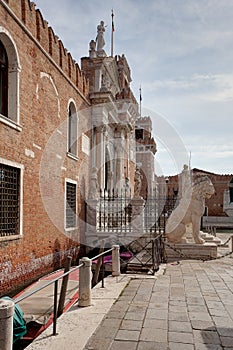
(49, 80)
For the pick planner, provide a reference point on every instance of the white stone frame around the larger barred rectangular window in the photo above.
(20, 199)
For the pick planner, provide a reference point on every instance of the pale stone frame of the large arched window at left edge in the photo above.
(12, 119)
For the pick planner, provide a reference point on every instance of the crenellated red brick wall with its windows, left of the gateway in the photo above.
(43, 166)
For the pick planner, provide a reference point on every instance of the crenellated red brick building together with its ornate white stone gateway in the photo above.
(58, 122)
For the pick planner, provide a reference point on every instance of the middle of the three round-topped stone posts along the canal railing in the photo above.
(85, 276)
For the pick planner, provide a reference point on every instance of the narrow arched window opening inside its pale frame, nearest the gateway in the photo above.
(72, 130)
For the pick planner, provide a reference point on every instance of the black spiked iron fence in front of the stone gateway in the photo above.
(115, 213)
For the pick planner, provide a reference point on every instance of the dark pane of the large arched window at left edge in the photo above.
(3, 81)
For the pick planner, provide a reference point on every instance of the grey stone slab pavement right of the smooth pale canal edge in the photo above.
(189, 307)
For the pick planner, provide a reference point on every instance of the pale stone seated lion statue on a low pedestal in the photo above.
(189, 211)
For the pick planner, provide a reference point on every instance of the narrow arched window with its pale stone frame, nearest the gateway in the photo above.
(72, 130)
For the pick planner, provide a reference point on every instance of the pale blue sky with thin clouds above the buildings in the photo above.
(181, 54)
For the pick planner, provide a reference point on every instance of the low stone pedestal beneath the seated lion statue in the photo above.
(191, 251)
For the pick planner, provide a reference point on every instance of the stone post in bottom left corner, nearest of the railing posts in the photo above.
(6, 324)
